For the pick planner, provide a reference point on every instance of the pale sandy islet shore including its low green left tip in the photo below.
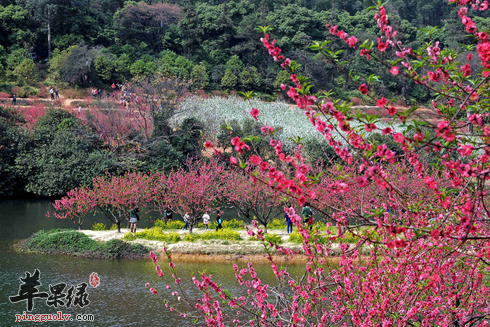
(200, 251)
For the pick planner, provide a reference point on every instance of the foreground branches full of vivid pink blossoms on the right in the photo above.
(425, 264)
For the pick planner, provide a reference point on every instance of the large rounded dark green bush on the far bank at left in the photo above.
(61, 155)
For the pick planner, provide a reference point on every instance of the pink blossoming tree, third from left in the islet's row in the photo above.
(194, 189)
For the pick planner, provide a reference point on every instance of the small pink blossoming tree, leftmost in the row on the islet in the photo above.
(75, 205)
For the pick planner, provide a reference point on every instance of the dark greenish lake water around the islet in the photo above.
(121, 299)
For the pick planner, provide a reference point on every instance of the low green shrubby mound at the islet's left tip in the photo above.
(71, 242)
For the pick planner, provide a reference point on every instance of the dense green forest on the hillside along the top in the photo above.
(95, 43)
